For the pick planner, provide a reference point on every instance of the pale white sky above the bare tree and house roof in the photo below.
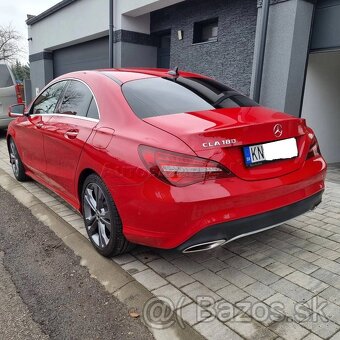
(15, 12)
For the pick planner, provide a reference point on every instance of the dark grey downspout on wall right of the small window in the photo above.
(260, 54)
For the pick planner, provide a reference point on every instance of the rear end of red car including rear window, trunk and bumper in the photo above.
(250, 169)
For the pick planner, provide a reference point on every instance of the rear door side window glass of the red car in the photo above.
(76, 100)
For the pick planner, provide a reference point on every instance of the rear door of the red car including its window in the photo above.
(68, 131)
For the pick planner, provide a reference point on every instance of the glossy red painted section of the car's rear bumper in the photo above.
(161, 216)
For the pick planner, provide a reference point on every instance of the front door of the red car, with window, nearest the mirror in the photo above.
(29, 133)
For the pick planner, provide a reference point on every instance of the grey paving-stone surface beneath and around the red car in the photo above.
(284, 282)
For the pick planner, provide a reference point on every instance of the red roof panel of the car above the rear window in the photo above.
(128, 74)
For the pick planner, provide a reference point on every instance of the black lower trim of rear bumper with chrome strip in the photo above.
(232, 230)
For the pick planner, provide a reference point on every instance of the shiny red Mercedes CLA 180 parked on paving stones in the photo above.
(165, 159)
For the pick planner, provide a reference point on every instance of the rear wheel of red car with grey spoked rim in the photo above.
(102, 221)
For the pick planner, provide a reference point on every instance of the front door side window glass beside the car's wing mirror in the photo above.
(48, 100)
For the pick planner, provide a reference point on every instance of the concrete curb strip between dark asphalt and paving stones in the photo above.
(115, 280)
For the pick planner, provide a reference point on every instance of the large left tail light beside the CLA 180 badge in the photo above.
(179, 169)
